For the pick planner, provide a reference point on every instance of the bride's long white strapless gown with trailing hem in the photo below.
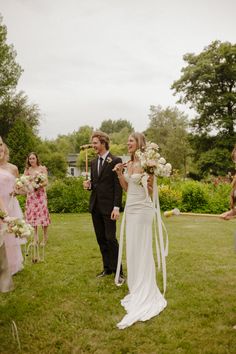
(144, 300)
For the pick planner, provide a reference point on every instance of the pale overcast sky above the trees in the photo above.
(86, 61)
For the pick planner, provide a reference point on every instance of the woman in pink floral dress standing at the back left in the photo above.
(36, 211)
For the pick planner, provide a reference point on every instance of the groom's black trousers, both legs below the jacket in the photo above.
(105, 230)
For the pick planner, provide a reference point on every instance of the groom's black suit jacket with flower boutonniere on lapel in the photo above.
(105, 188)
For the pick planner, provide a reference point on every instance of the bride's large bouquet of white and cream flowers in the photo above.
(151, 161)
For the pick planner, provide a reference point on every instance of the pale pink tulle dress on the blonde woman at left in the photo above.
(12, 244)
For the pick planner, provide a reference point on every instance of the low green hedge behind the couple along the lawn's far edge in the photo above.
(68, 196)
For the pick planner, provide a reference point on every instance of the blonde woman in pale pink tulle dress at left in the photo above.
(8, 175)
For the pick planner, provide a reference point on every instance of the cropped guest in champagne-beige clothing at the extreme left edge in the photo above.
(6, 283)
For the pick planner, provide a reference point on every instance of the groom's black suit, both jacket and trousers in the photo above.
(106, 194)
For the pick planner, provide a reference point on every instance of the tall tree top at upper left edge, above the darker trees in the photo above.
(10, 71)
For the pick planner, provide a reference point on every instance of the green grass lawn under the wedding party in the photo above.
(60, 307)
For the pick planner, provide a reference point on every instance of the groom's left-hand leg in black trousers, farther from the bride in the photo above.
(99, 229)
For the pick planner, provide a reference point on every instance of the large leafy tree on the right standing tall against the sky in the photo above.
(208, 83)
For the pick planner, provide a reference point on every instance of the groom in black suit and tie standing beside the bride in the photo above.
(105, 202)
